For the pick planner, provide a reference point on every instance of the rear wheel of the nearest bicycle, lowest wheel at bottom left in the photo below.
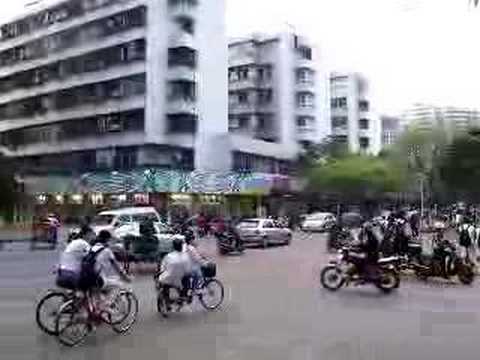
(72, 324)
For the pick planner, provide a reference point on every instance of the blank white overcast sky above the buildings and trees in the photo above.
(411, 50)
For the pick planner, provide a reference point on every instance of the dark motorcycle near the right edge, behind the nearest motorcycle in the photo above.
(445, 262)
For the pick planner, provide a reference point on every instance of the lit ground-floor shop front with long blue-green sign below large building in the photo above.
(172, 193)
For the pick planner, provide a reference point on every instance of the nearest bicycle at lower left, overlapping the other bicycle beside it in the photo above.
(78, 317)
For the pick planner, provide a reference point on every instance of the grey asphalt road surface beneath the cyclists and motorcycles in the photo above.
(274, 309)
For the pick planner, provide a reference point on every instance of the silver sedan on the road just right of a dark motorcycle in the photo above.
(263, 232)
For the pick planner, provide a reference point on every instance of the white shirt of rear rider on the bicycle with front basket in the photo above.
(174, 267)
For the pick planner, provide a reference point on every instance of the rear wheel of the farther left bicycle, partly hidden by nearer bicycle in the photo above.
(47, 309)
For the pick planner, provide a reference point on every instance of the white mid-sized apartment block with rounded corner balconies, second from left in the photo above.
(275, 93)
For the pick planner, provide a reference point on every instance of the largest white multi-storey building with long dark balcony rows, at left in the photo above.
(103, 84)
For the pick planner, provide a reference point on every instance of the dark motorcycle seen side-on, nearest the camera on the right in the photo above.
(343, 271)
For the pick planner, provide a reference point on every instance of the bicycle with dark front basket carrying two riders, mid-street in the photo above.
(206, 288)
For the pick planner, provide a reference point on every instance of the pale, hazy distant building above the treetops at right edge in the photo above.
(451, 119)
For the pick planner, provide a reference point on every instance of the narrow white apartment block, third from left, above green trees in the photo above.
(353, 121)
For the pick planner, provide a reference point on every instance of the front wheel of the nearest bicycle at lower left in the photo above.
(123, 312)
